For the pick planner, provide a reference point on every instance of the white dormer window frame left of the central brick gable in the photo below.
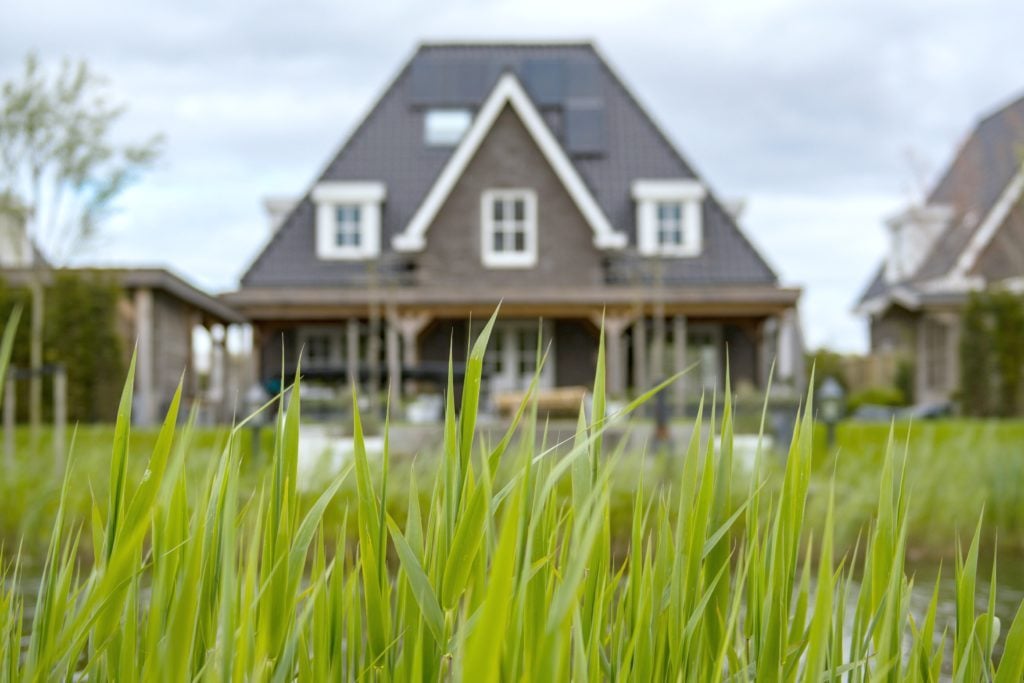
(332, 196)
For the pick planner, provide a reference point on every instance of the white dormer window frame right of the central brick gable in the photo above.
(649, 195)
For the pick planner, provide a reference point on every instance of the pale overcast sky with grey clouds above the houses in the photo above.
(826, 117)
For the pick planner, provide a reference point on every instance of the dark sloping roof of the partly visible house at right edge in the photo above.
(980, 186)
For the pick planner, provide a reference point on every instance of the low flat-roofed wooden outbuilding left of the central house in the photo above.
(159, 314)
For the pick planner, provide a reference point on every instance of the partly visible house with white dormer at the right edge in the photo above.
(968, 236)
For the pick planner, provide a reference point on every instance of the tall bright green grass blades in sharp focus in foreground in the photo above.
(493, 579)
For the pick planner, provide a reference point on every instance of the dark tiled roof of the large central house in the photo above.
(388, 147)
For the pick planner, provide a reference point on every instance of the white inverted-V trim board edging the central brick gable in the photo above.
(508, 92)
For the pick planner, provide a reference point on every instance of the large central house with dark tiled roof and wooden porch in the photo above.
(526, 175)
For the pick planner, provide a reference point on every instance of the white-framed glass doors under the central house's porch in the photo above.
(511, 359)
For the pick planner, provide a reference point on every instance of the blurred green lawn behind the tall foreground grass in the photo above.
(957, 469)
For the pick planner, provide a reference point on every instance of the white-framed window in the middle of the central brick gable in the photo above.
(508, 225)
